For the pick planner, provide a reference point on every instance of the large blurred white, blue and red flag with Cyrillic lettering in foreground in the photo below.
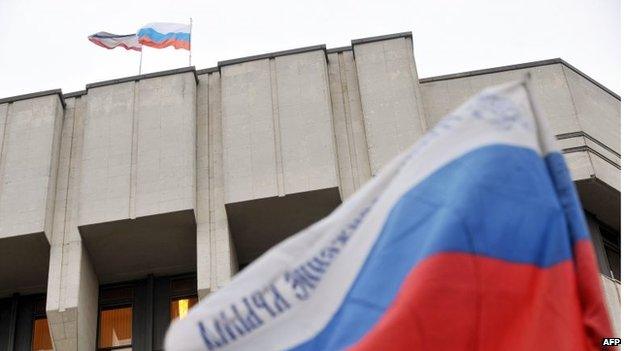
(473, 239)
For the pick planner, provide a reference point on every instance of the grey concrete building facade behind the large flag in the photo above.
(138, 192)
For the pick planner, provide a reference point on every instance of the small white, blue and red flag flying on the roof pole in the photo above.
(161, 35)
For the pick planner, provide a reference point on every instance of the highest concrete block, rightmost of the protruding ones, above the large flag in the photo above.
(392, 105)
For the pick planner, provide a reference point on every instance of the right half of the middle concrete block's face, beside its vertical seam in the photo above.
(306, 135)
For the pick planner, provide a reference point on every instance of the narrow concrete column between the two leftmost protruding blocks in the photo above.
(72, 296)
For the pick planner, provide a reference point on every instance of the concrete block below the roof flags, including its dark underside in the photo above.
(137, 185)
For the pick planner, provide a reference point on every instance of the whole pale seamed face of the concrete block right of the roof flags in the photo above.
(277, 128)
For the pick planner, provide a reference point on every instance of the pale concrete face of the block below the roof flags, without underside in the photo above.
(139, 149)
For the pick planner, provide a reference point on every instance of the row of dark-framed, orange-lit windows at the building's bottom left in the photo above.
(133, 315)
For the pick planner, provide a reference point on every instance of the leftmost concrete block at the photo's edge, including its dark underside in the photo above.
(29, 150)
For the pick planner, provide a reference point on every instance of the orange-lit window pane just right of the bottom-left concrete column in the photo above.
(115, 327)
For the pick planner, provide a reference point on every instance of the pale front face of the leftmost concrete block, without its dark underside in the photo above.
(28, 164)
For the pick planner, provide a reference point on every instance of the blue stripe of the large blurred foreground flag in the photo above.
(497, 201)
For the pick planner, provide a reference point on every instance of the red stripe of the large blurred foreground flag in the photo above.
(455, 301)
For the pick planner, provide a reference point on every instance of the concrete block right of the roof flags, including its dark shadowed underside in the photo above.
(279, 155)
